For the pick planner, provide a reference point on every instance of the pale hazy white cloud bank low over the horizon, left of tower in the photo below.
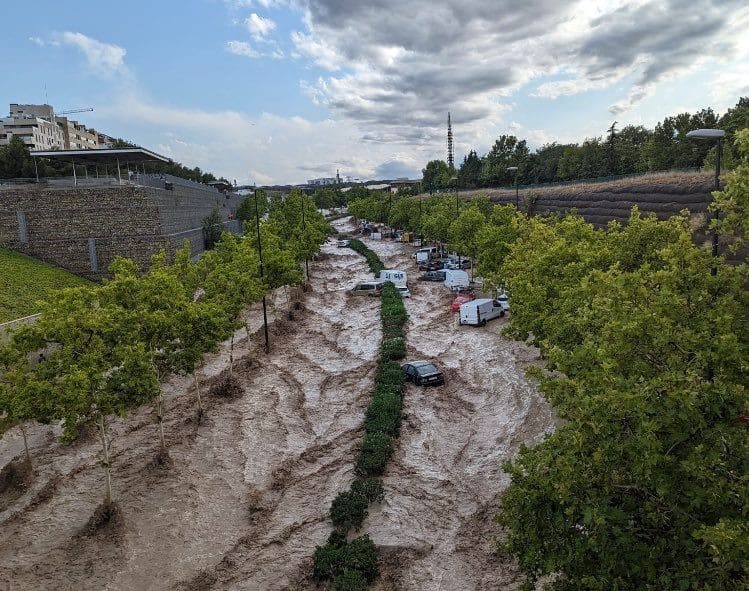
(271, 148)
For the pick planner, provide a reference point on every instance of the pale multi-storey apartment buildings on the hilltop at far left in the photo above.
(41, 129)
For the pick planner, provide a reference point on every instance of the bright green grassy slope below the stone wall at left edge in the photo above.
(24, 280)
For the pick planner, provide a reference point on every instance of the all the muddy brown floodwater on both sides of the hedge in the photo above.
(245, 499)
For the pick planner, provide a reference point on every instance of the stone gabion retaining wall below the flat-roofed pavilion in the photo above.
(82, 229)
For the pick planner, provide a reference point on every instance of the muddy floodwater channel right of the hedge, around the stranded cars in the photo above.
(443, 485)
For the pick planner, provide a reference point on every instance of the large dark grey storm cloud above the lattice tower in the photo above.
(399, 65)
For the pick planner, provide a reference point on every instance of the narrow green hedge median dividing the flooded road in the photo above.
(352, 566)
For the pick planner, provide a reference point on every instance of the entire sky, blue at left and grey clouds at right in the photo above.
(287, 90)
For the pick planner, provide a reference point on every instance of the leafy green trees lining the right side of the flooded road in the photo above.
(644, 485)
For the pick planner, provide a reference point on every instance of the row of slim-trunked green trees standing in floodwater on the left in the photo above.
(100, 351)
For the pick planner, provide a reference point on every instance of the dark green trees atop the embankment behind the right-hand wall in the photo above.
(631, 149)
